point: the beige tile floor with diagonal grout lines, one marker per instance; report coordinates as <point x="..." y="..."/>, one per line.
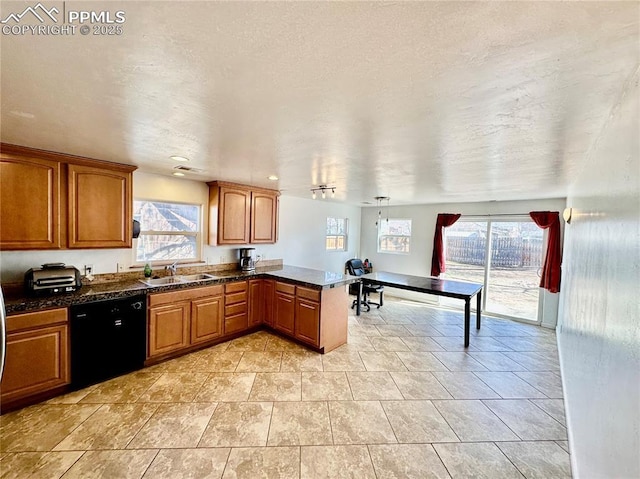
<point x="403" y="399"/>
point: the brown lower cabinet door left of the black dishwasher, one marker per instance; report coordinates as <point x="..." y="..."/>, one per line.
<point x="37" y="360"/>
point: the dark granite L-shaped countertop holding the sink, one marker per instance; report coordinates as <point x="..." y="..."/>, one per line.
<point x="310" y="278"/>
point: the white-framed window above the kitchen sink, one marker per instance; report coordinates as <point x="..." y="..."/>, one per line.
<point x="168" y="231"/>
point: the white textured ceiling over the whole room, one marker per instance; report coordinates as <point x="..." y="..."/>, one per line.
<point x="423" y="102"/>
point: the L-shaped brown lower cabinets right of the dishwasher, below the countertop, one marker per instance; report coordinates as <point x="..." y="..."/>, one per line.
<point x="181" y="320"/>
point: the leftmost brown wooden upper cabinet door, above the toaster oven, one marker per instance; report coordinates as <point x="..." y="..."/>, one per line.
<point x="30" y="215"/>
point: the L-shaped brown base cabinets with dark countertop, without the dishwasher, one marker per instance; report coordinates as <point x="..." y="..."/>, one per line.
<point x="306" y="305"/>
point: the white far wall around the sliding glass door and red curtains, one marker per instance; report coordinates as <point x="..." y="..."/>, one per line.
<point x="423" y="225"/>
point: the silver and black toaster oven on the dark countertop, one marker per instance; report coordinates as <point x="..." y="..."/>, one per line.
<point x="52" y="278"/>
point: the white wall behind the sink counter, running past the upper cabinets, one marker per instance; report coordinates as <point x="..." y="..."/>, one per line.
<point x="301" y="241"/>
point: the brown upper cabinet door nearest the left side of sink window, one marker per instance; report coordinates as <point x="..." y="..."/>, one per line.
<point x="100" y="207"/>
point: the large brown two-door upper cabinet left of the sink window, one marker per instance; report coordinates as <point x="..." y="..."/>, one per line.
<point x="52" y="201"/>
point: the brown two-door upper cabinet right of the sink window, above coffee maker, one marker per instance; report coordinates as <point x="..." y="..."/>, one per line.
<point x="240" y="214"/>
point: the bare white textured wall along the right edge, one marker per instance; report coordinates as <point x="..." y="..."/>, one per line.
<point x="599" y="324"/>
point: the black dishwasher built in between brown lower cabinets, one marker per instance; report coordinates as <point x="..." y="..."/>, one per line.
<point x="108" y="338"/>
